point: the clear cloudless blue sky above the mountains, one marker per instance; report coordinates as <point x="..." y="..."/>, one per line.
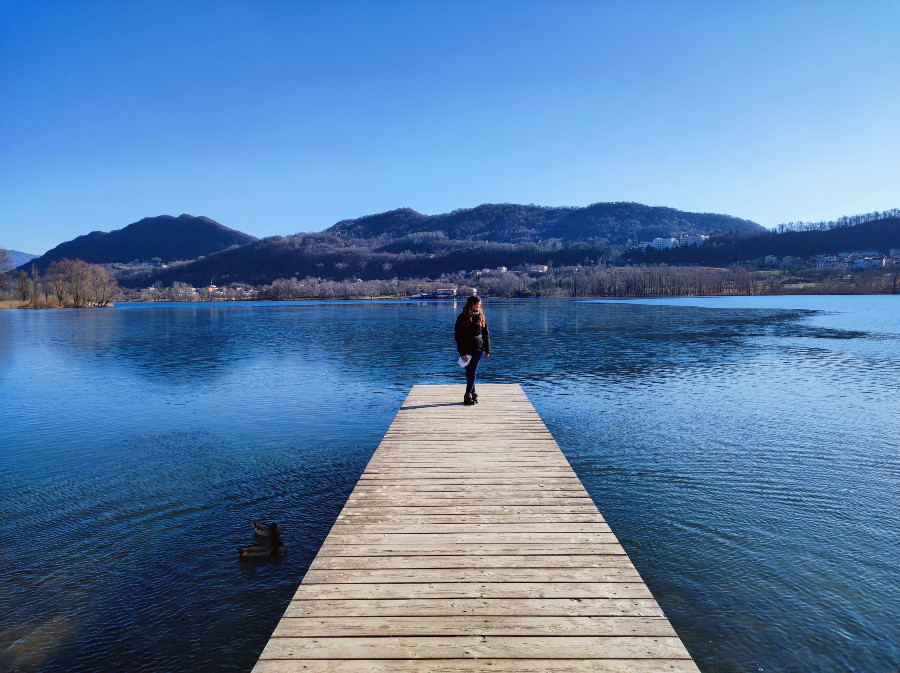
<point x="276" y="116"/>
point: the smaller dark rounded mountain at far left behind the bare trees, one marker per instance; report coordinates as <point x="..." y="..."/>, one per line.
<point x="164" y="237"/>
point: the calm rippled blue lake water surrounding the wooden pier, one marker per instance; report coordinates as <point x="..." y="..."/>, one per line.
<point x="745" y="451"/>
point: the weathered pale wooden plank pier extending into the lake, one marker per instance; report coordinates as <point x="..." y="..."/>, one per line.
<point x="469" y="544"/>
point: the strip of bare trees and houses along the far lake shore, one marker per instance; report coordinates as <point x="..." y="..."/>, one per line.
<point x="75" y="283"/>
